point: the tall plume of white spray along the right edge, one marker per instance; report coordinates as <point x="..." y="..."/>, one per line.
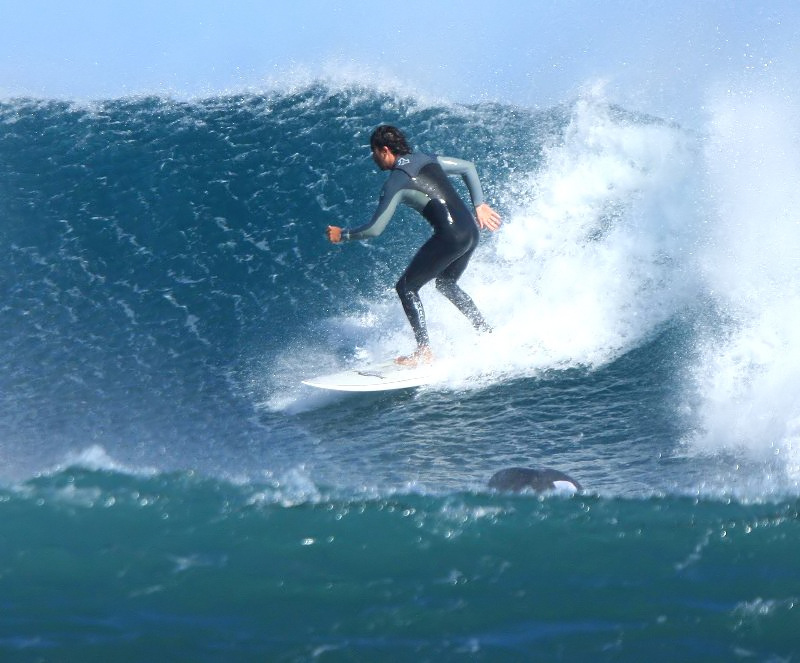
<point x="748" y="365"/>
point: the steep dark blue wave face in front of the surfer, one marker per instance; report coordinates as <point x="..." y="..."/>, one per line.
<point x="157" y="253"/>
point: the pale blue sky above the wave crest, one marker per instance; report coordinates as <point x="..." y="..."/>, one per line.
<point x="657" y="55"/>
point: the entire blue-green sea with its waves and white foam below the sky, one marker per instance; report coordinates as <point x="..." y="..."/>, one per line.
<point x="170" y="491"/>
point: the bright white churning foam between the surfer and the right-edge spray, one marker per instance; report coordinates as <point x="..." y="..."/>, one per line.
<point x="593" y="260"/>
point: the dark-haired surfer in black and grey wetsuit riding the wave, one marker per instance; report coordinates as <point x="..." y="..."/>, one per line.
<point x="420" y="181"/>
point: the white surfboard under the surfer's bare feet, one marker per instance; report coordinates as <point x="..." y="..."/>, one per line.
<point x="378" y="377"/>
